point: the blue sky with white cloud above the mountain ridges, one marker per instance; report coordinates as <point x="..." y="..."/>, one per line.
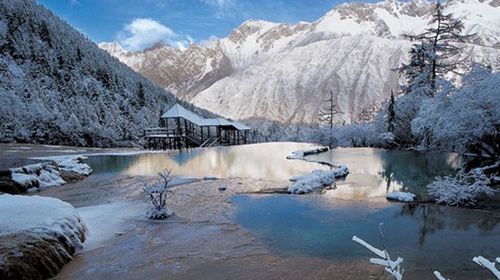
<point x="138" y="23"/>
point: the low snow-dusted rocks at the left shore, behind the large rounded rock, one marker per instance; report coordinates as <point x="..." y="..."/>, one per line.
<point x="48" y="174"/>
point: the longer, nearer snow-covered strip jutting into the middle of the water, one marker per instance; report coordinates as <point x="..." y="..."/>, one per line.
<point x="316" y="179"/>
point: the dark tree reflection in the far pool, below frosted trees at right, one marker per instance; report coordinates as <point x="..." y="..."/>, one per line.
<point x="413" y="170"/>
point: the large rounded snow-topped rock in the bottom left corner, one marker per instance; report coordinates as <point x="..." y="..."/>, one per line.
<point x="38" y="235"/>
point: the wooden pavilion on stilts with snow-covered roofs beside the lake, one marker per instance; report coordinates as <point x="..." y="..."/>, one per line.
<point x="185" y="129"/>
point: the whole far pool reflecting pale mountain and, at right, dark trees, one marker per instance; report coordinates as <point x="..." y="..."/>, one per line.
<point x="373" y="172"/>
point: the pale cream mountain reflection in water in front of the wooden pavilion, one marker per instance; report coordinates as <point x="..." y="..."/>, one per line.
<point x="259" y="161"/>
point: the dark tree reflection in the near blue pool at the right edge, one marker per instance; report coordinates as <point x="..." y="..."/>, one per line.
<point x="433" y="218"/>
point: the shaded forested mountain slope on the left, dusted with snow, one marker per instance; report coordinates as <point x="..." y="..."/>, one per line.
<point x="58" y="87"/>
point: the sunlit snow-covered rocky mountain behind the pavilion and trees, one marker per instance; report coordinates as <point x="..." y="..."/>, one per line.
<point x="283" y="71"/>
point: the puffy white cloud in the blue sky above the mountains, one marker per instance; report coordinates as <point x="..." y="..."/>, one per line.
<point x="144" y="32"/>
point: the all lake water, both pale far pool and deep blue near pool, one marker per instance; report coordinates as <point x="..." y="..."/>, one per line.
<point x="322" y="224"/>
